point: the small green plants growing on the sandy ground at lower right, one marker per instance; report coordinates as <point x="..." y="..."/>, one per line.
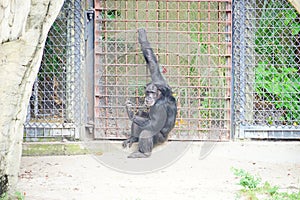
<point x="254" y="189"/>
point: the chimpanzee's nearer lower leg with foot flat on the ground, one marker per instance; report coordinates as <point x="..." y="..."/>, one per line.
<point x="145" y="145"/>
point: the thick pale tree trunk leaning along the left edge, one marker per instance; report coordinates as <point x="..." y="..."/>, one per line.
<point x="24" y="25"/>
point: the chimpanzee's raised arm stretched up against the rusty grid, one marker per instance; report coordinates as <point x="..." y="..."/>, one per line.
<point x="150" y="58"/>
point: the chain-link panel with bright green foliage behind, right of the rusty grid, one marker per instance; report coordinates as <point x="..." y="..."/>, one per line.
<point x="267" y="60"/>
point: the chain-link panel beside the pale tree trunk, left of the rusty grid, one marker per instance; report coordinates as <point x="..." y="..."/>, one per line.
<point x="54" y="102"/>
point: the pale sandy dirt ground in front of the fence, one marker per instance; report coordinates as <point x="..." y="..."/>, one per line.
<point x="201" y="171"/>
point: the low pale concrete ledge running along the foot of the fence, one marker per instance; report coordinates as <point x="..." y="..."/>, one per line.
<point x="269" y="151"/>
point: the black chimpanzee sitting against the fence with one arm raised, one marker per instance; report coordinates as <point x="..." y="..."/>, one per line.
<point x="152" y="127"/>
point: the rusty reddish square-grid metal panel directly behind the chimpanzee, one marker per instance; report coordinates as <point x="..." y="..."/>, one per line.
<point x="192" y="40"/>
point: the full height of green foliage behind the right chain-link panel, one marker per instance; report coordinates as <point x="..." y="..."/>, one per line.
<point x="276" y="74"/>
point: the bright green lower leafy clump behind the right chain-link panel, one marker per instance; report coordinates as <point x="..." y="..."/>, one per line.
<point x="280" y="86"/>
